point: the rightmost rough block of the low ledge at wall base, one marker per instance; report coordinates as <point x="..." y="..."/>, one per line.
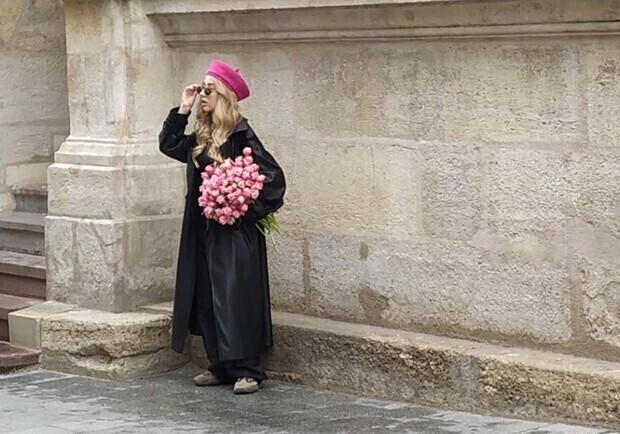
<point x="529" y="384"/>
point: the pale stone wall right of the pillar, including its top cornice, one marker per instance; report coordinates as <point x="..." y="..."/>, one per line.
<point x="463" y="184"/>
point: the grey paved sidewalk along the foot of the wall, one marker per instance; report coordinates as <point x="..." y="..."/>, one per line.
<point x="45" y="402"/>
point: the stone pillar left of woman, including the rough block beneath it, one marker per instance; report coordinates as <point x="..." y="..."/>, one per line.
<point x="114" y="201"/>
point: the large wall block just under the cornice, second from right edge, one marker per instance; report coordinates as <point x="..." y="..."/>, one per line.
<point x="509" y="92"/>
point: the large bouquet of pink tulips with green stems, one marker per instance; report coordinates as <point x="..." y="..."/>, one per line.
<point x="228" y="190"/>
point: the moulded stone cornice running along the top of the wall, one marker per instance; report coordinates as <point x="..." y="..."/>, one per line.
<point x="190" y="22"/>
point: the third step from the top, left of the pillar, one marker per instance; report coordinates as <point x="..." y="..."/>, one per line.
<point x="22" y="275"/>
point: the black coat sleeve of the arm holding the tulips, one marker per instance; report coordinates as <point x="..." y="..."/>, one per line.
<point x="272" y="196"/>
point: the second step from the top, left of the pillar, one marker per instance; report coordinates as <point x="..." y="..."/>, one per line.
<point x="23" y="232"/>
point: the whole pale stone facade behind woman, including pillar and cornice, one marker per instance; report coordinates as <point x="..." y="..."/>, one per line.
<point x="453" y="166"/>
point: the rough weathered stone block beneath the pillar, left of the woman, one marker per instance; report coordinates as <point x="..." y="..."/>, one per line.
<point x="108" y="345"/>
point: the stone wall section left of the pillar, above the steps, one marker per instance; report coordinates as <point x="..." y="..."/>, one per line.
<point x="34" y="117"/>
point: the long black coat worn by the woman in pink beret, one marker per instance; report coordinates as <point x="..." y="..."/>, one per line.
<point x="236" y="255"/>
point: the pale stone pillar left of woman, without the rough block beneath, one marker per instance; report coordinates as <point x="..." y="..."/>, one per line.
<point x="114" y="201"/>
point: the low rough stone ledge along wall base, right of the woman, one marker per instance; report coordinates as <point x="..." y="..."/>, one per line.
<point x="444" y="372"/>
